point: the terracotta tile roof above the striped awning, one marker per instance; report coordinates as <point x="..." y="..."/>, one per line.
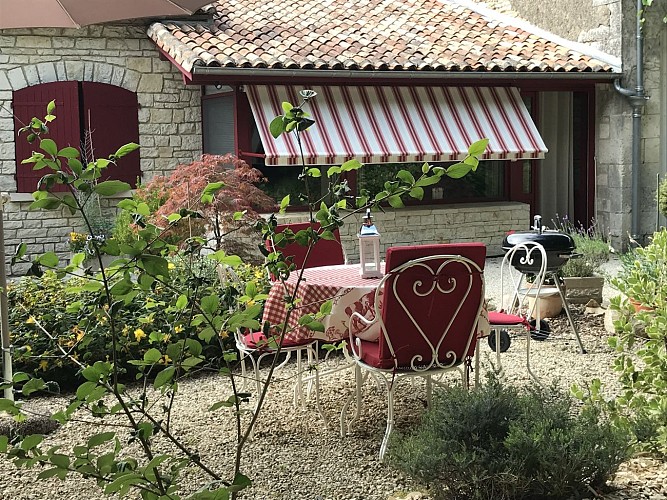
<point x="411" y="35"/>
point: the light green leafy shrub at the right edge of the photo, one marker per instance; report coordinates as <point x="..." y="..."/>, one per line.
<point x="641" y="347"/>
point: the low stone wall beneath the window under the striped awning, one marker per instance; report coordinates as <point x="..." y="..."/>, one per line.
<point x="484" y="222"/>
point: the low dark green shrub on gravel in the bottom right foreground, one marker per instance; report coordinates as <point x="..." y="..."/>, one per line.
<point x="500" y="442"/>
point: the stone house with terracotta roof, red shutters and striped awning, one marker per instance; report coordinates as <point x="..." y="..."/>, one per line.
<point x="208" y="83"/>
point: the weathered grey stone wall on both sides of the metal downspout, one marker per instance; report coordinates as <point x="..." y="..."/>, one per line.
<point x="614" y="132"/>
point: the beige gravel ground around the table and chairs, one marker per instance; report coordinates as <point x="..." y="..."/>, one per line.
<point x="294" y="456"/>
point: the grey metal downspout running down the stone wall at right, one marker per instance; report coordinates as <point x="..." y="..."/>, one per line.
<point x="637" y="99"/>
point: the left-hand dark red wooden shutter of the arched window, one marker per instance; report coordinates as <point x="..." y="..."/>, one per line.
<point x="65" y="130"/>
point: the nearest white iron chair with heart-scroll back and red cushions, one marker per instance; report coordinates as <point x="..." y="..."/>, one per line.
<point x="431" y="301"/>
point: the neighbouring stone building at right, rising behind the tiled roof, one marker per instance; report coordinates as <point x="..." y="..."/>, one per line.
<point x="611" y="26"/>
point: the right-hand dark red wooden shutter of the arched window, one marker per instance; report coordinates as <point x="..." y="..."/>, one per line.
<point x="111" y="114"/>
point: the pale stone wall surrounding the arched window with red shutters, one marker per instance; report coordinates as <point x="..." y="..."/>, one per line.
<point x="121" y="55"/>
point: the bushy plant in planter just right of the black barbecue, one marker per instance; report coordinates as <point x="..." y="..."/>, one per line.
<point x="582" y="275"/>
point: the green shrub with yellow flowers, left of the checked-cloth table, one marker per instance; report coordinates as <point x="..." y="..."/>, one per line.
<point x="78" y="323"/>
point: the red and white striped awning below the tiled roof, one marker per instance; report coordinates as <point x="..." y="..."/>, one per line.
<point x="397" y="124"/>
